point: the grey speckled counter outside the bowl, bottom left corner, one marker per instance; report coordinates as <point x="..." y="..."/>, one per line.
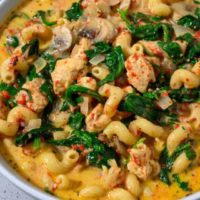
<point x="8" y="191"/>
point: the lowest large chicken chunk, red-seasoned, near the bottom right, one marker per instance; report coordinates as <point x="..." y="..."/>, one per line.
<point x="141" y="162"/>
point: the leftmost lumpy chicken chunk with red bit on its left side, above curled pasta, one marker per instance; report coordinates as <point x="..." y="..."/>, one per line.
<point x="36" y="100"/>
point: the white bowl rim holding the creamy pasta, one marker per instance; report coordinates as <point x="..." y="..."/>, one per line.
<point x="6" y="6"/>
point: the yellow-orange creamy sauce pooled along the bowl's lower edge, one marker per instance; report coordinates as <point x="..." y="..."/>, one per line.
<point x="32" y="169"/>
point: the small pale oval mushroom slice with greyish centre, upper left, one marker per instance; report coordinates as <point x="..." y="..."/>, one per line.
<point x="62" y="38"/>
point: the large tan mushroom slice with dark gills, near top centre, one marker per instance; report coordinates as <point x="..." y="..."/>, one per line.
<point x="98" y="29"/>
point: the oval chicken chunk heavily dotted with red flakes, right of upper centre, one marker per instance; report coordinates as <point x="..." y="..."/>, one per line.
<point x="140" y="72"/>
